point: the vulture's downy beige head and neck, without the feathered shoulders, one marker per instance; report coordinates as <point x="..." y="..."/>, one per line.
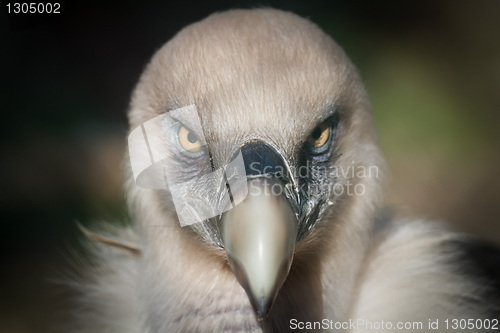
<point x="257" y="137"/>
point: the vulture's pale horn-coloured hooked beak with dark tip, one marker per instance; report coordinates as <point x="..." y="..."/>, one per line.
<point x="259" y="234"/>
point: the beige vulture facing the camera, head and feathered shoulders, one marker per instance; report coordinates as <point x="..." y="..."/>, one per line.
<point x="254" y="185"/>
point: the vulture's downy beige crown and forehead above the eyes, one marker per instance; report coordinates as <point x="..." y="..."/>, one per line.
<point x="264" y="74"/>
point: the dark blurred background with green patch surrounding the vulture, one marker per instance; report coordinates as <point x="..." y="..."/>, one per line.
<point x="432" y="70"/>
